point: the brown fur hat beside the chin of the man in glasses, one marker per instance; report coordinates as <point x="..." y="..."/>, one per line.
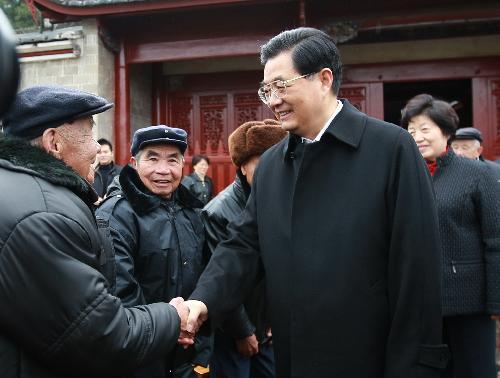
<point x="253" y="138"/>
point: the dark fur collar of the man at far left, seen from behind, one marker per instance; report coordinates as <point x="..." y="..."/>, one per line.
<point x="36" y="162"/>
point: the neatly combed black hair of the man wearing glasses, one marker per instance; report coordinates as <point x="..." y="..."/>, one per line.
<point x="312" y="50"/>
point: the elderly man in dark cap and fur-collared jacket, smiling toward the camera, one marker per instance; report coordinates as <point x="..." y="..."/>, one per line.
<point x="158" y="236"/>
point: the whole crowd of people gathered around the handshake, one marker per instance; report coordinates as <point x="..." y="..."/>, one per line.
<point x="345" y="246"/>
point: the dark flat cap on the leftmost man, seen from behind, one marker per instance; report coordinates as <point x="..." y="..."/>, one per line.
<point x="38" y="108"/>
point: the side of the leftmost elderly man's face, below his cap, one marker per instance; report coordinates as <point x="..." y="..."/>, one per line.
<point x="78" y="148"/>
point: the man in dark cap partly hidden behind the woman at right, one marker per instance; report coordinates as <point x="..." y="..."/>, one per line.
<point x="467" y="142"/>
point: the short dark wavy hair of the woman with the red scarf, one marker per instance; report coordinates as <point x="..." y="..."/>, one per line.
<point x="440" y="112"/>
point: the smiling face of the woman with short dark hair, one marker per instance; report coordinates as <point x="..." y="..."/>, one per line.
<point x="430" y="139"/>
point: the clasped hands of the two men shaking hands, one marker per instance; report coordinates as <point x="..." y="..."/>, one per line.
<point x="192" y="314"/>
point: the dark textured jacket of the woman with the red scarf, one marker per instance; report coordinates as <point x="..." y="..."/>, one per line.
<point x="469" y="223"/>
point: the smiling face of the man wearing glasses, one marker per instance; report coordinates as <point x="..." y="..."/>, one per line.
<point x="301" y="110"/>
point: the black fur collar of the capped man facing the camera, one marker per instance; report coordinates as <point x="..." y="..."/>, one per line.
<point x="143" y="201"/>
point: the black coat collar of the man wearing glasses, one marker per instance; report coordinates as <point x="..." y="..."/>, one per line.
<point x="348" y="127"/>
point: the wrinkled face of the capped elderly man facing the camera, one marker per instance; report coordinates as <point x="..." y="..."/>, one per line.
<point x="160" y="168"/>
